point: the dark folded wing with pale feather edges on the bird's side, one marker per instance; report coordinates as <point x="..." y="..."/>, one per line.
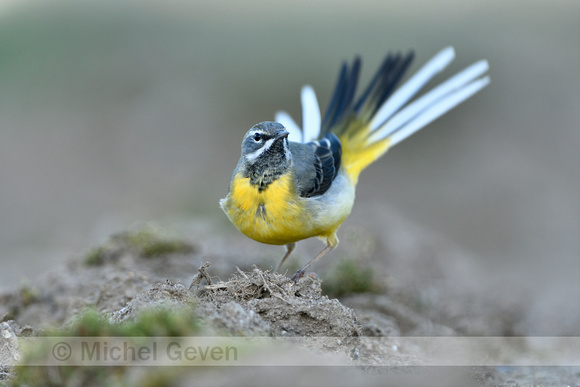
<point x="327" y="154"/>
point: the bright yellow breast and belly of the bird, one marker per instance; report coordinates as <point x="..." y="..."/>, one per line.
<point x="277" y="215"/>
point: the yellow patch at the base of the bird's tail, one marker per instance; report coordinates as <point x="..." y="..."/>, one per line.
<point x="357" y="153"/>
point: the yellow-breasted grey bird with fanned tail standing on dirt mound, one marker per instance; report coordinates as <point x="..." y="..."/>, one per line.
<point x="295" y="183"/>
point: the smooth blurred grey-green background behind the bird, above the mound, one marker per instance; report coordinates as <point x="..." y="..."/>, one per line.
<point x="116" y="112"/>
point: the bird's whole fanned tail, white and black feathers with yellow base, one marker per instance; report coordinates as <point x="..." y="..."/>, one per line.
<point x="383" y="117"/>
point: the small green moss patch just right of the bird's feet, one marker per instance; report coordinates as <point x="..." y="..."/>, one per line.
<point x="349" y="277"/>
